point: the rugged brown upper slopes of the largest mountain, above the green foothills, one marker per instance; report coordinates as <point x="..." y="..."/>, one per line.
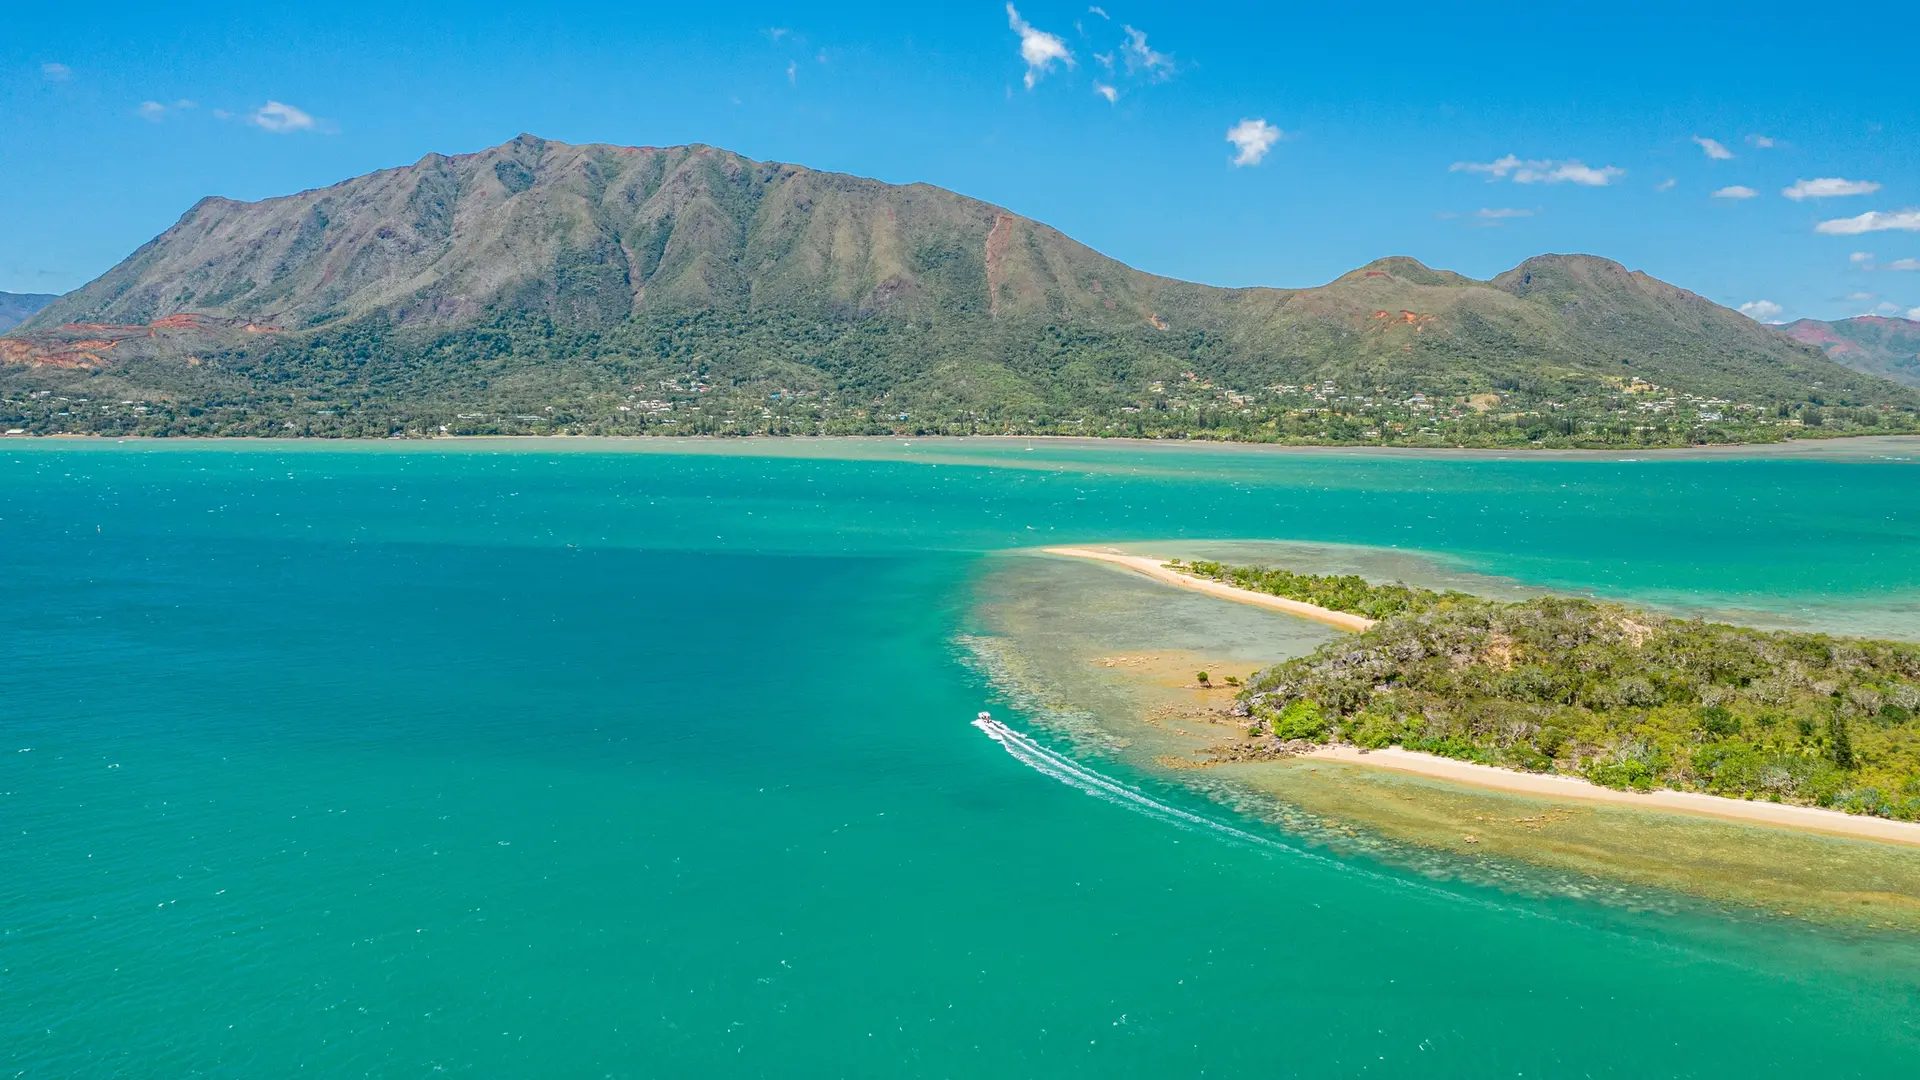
<point x="594" y="235"/>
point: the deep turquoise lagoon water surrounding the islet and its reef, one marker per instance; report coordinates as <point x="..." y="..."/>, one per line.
<point x="658" y="762"/>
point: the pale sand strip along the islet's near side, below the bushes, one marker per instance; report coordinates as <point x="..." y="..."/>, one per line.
<point x="1813" y="820"/>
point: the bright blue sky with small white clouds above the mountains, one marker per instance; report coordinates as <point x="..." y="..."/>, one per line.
<point x="1470" y="137"/>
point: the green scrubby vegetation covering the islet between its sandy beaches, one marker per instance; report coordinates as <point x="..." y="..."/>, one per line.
<point x="1625" y="699"/>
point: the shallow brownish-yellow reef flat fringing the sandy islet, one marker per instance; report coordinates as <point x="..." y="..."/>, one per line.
<point x="1109" y="660"/>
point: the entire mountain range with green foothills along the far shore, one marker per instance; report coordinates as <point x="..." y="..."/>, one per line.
<point x="552" y="287"/>
